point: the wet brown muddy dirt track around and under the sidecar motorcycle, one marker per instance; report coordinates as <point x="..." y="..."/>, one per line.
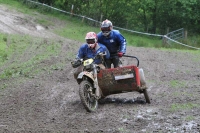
<point x="50" y="102"/>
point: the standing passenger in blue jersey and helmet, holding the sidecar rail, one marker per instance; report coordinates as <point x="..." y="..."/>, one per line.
<point x="114" y="41"/>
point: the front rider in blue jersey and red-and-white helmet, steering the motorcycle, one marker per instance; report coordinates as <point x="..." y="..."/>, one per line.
<point x="89" y="50"/>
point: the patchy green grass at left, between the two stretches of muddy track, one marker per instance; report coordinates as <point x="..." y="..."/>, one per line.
<point x="32" y="50"/>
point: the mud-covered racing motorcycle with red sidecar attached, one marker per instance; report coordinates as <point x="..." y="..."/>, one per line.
<point x="96" y="83"/>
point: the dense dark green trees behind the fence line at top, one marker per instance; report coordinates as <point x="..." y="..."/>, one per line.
<point x="154" y="16"/>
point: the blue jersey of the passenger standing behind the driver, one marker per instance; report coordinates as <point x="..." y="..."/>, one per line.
<point x="115" y="42"/>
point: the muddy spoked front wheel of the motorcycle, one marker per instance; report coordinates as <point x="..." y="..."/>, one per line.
<point x="89" y="102"/>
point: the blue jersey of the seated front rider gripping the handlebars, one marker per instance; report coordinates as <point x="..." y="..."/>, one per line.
<point x="85" y="52"/>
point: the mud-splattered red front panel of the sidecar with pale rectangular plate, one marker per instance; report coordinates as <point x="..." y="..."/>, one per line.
<point x="118" y="80"/>
